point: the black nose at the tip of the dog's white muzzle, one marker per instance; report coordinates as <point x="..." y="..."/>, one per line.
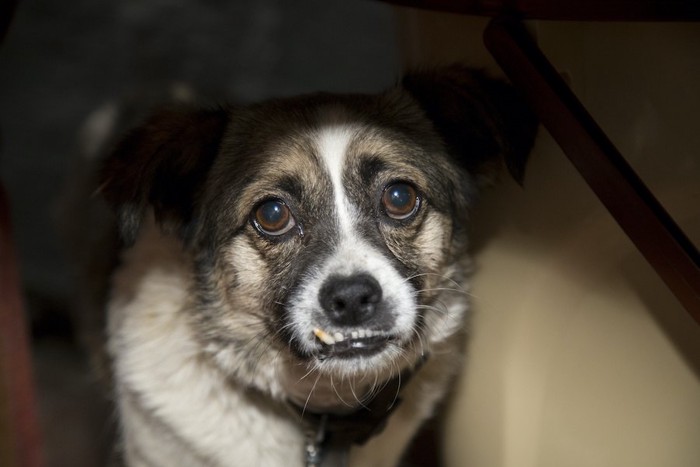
<point x="350" y="300"/>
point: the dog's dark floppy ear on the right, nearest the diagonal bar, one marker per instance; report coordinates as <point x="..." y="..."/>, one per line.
<point x="484" y="122"/>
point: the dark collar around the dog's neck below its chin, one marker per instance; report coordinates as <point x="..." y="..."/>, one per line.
<point x="329" y="436"/>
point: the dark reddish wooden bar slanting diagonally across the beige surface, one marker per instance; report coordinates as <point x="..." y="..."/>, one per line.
<point x="634" y="207"/>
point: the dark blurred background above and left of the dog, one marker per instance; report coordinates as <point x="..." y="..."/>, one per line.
<point x="62" y="61"/>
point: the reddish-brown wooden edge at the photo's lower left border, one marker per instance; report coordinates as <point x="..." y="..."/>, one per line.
<point x="20" y="413"/>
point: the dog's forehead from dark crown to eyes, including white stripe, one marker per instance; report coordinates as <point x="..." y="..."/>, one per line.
<point x="328" y="161"/>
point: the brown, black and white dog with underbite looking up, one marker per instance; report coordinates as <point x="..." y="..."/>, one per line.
<point x="293" y="284"/>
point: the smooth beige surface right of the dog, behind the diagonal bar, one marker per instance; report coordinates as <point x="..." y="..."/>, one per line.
<point x="579" y="356"/>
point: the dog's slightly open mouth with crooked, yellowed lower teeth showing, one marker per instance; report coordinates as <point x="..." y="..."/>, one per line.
<point x="351" y="344"/>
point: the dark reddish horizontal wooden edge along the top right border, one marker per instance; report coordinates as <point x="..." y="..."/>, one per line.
<point x="567" y="10"/>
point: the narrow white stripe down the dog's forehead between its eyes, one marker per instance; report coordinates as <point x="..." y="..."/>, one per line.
<point x="333" y="143"/>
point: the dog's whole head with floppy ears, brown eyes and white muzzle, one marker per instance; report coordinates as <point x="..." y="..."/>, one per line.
<point x="326" y="231"/>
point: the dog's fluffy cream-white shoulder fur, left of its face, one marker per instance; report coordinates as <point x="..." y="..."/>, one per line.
<point x="168" y="392"/>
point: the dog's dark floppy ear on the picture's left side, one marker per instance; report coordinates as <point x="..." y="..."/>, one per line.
<point x="162" y="165"/>
